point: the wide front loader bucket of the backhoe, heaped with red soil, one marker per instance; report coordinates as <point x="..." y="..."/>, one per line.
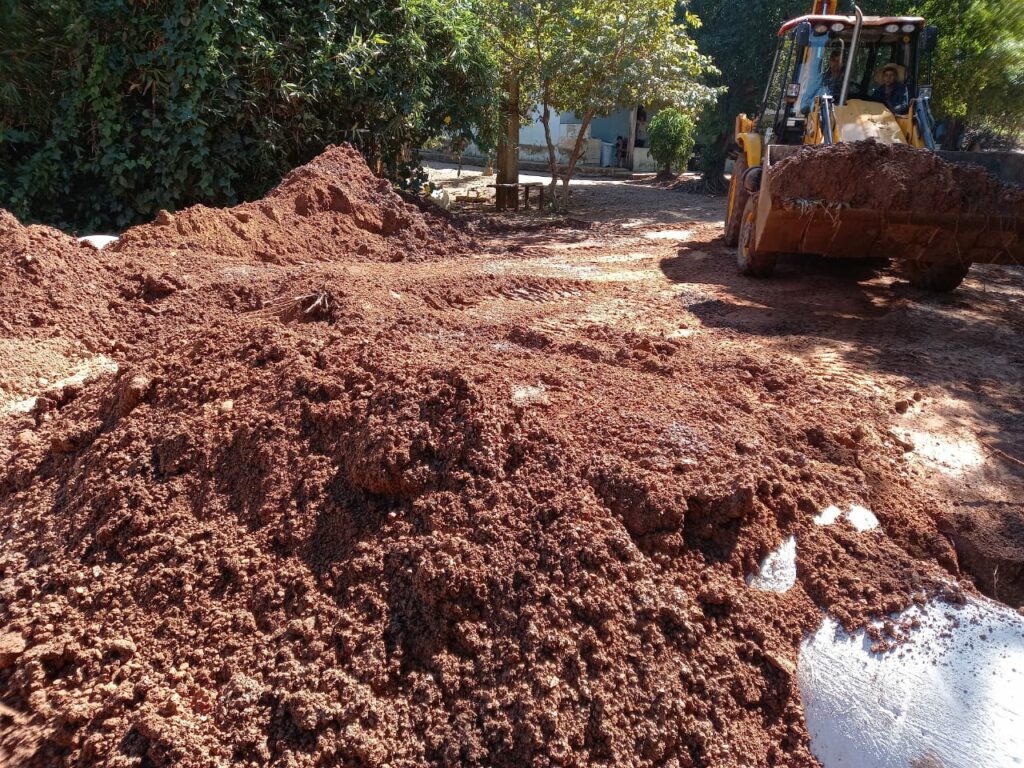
<point x="868" y="200"/>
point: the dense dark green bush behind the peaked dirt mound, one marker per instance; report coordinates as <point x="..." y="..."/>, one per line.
<point x="111" y="110"/>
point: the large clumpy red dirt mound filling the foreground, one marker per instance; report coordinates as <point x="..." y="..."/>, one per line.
<point x="281" y="546"/>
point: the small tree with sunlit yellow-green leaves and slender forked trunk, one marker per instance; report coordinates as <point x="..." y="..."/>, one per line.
<point x="622" y="54"/>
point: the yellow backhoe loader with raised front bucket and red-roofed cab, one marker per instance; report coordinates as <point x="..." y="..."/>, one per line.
<point x="852" y="79"/>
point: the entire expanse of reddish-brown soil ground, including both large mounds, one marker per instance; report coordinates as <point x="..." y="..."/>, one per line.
<point x="325" y="481"/>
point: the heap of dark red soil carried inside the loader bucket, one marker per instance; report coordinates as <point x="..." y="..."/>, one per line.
<point x="894" y="178"/>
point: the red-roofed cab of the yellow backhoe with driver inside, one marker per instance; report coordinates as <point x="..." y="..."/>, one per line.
<point x="828" y="74"/>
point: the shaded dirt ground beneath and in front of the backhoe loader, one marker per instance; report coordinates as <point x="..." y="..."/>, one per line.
<point x="953" y="364"/>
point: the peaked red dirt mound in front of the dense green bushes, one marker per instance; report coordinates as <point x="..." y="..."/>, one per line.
<point x="331" y="210"/>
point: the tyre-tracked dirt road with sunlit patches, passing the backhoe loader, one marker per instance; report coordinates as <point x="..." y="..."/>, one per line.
<point x="950" y="369"/>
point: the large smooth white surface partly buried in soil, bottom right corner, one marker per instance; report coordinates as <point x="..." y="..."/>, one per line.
<point x="953" y="697"/>
